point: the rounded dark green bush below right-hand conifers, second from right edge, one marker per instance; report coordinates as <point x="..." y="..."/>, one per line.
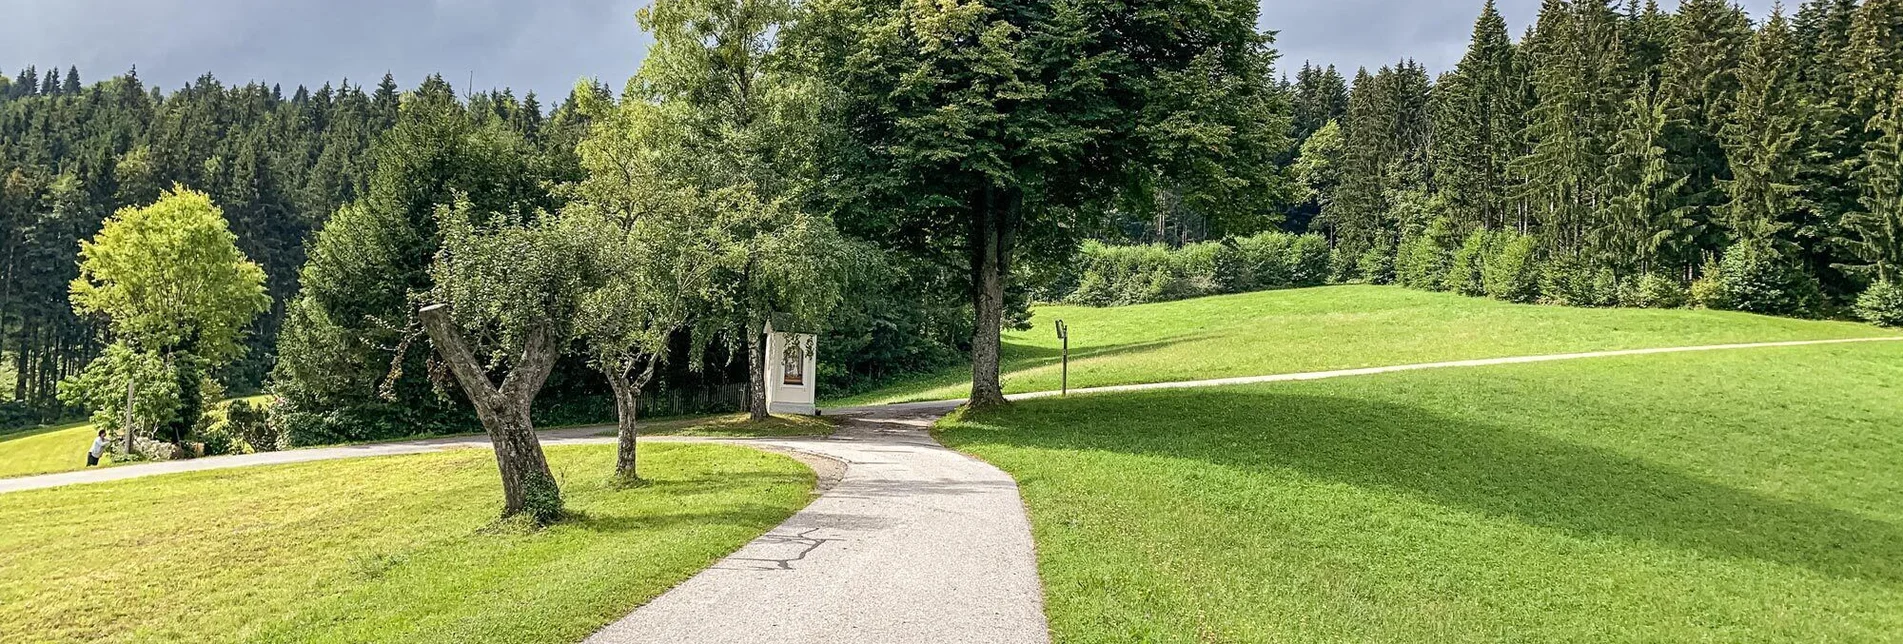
<point x="1756" y="279"/>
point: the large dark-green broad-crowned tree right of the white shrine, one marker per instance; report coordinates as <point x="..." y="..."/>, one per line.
<point x="994" y="129"/>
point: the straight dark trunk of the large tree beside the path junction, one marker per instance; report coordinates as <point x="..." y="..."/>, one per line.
<point x="992" y="237"/>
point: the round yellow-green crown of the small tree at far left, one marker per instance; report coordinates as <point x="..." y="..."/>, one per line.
<point x="170" y="277"/>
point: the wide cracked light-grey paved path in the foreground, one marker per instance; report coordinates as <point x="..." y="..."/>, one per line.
<point x="914" y="544"/>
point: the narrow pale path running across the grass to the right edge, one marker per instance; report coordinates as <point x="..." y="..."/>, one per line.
<point x="1316" y="376"/>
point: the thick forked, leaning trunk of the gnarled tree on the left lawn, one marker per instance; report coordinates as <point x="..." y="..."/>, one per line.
<point x="528" y="485"/>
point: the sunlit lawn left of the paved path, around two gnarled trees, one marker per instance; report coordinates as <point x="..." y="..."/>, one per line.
<point x="383" y="550"/>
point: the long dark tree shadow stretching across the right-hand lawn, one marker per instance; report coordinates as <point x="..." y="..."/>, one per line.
<point x="1461" y="464"/>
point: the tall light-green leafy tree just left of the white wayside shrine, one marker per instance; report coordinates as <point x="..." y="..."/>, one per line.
<point x="737" y="127"/>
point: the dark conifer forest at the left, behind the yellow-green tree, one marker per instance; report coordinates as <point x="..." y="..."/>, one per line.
<point x="279" y="167"/>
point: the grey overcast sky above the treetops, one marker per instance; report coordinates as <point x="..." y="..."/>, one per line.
<point x="547" y="45"/>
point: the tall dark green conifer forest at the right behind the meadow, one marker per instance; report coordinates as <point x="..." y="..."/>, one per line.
<point x="1746" y="163"/>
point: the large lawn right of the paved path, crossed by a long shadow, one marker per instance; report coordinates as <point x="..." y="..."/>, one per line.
<point x="1736" y="496"/>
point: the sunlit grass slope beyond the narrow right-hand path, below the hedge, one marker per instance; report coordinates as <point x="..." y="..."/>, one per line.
<point x="1331" y="329"/>
